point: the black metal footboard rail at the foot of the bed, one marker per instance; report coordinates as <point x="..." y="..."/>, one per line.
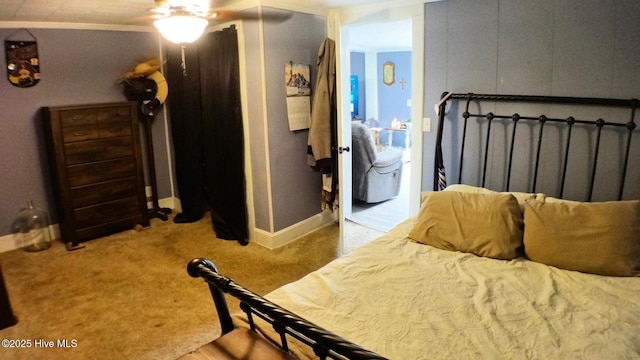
<point x="324" y="343"/>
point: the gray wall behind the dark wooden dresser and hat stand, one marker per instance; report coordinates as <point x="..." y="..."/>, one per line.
<point x="78" y="67"/>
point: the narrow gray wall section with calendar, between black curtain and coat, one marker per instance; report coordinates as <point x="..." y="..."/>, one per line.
<point x="295" y="187"/>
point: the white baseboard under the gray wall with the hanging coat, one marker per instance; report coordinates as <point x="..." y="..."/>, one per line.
<point x="293" y="232"/>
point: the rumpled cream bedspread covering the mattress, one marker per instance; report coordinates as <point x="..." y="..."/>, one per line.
<point x="406" y="300"/>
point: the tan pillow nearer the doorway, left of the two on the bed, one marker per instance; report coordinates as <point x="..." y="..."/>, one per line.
<point x="483" y="224"/>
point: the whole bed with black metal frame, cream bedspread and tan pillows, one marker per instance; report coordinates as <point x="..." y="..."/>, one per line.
<point x="528" y="247"/>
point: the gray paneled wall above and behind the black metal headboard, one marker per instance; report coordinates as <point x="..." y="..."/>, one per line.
<point x="544" y="47"/>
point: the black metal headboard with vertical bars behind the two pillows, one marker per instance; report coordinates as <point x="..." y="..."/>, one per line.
<point x="512" y="120"/>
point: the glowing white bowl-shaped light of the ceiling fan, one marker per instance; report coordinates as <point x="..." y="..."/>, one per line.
<point x="181" y="29"/>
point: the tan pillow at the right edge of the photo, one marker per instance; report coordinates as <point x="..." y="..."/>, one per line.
<point x="599" y="238"/>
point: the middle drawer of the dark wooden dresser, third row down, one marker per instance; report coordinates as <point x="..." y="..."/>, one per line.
<point x="101" y="171"/>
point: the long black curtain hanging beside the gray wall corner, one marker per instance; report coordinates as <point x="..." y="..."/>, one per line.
<point x="214" y="136"/>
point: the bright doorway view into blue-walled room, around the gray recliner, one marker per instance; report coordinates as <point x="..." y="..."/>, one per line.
<point x="380" y="72"/>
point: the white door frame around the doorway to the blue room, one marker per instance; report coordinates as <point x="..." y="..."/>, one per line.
<point x="339" y="28"/>
